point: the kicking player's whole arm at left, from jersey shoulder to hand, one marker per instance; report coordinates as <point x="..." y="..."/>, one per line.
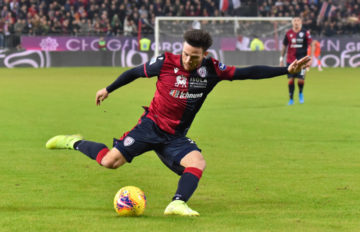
<point x="149" y="69"/>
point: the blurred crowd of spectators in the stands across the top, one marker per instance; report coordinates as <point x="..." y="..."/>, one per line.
<point x="126" y="17"/>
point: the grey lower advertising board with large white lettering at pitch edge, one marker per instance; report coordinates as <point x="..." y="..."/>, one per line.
<point x="43" y="59"/>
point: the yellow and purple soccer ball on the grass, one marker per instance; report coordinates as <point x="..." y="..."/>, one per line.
<point x="130" y="201"/>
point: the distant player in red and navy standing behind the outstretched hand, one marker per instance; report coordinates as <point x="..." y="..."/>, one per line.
<point x="296" y="42"/>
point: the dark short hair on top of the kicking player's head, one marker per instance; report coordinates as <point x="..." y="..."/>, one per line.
<point x="198" y="38"/>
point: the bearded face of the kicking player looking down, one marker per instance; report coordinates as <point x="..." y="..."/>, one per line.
<point x="192" y="57"/>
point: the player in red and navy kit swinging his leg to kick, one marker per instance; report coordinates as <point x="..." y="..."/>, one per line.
<point x="183" y="83"/>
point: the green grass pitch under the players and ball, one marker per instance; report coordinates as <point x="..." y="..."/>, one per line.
<point x="270" y="167"/>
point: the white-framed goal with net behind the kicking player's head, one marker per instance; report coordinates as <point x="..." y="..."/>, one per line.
<point x="229" y="34"/>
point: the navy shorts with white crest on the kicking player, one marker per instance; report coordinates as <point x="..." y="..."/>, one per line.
<point x="146" y="136"/>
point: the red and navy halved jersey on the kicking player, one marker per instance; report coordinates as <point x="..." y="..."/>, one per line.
<point x="179" y="93"/>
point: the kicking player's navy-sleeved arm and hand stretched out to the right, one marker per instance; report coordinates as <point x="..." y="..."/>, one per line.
<point x="262" y="72"/>
